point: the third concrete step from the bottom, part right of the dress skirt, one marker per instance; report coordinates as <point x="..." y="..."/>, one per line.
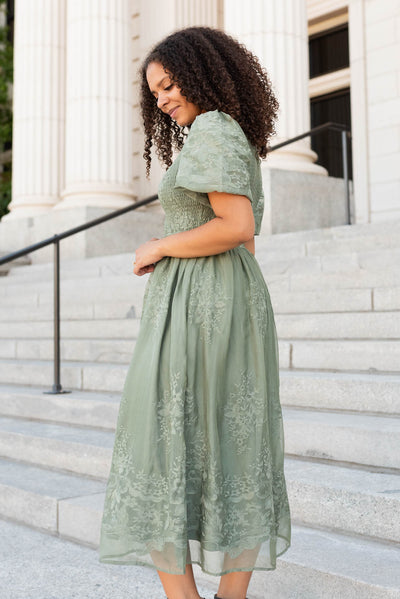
<point x="372" y="441"/>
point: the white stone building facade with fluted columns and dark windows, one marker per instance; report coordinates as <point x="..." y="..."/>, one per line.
<point x="77" y="143"/>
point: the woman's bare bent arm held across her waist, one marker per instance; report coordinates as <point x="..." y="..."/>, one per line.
<point x="233" y="225"/>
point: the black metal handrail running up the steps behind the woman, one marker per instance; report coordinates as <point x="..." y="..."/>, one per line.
<point x="55" y="239"/>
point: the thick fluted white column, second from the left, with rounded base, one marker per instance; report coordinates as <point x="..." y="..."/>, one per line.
<point x="98" y="164"/>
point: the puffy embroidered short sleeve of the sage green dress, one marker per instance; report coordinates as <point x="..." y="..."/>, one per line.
<point x="215" y="157"/>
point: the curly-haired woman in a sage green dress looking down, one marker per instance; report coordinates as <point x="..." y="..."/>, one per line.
<point x="197" y="469"/>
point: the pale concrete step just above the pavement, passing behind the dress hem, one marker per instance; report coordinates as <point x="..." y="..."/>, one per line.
<point x="336" y="498"/>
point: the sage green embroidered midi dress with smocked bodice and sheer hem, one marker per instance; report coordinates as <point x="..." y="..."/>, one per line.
<point x="197" y="468"/>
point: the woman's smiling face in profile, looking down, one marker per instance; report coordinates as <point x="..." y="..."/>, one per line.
<point x="169" y="97"/>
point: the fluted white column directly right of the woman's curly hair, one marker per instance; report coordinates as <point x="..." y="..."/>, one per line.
<point x="276" y="31"/>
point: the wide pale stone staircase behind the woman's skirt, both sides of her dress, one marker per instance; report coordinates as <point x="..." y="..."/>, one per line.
<point x="336" y="295"/>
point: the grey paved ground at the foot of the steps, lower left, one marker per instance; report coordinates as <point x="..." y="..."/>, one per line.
<point x="38" y="566"/>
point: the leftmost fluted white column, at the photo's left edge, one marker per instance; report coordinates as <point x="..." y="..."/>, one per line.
<point x="38" y="107"/>
